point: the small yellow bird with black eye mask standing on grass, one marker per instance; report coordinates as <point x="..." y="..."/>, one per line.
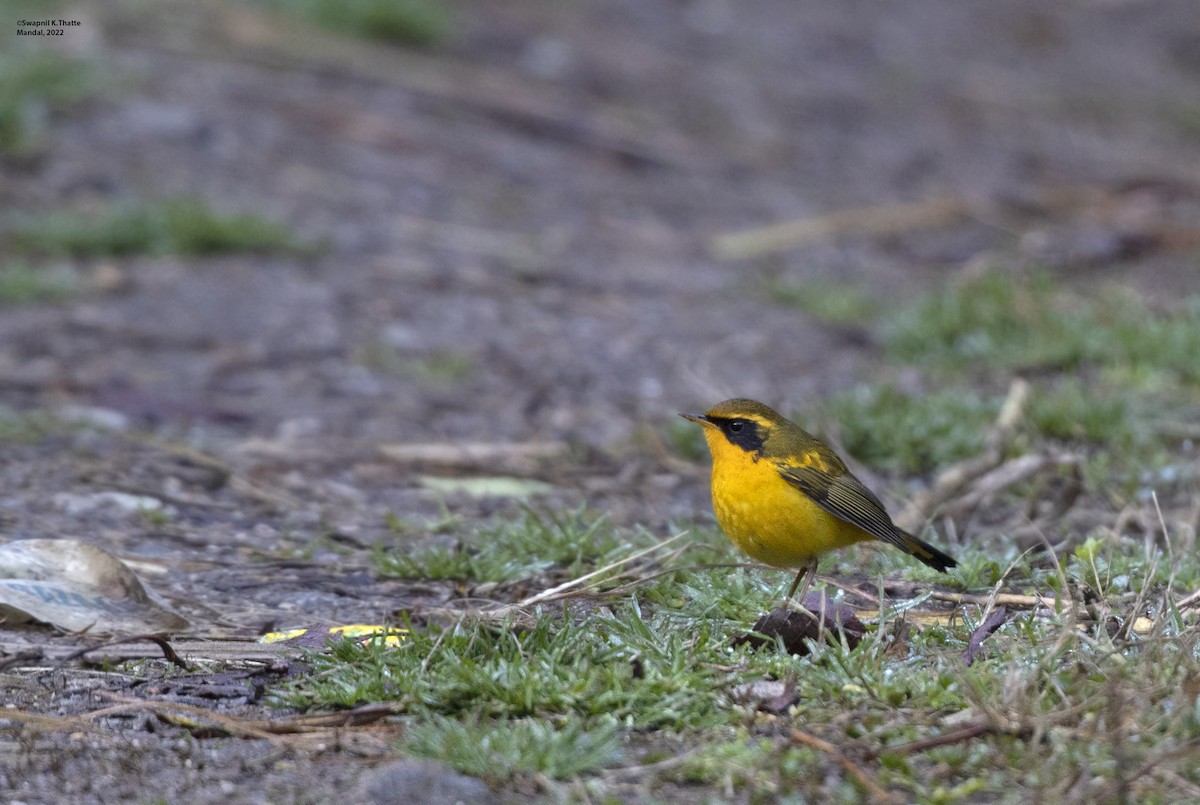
<point x="785" y="497"/>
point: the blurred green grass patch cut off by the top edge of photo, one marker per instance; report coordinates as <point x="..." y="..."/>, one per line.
<point x="399" y="22"/>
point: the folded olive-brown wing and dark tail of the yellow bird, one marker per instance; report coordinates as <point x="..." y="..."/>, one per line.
<point x="849" y="501"/>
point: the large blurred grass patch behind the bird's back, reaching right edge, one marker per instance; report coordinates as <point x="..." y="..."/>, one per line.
<point x="1113" y="377"/>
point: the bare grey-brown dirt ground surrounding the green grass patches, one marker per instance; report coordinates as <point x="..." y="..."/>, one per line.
<point x="519" y="229"/>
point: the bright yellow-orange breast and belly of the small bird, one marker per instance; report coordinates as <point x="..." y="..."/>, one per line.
<point x="769" y="518"/>
